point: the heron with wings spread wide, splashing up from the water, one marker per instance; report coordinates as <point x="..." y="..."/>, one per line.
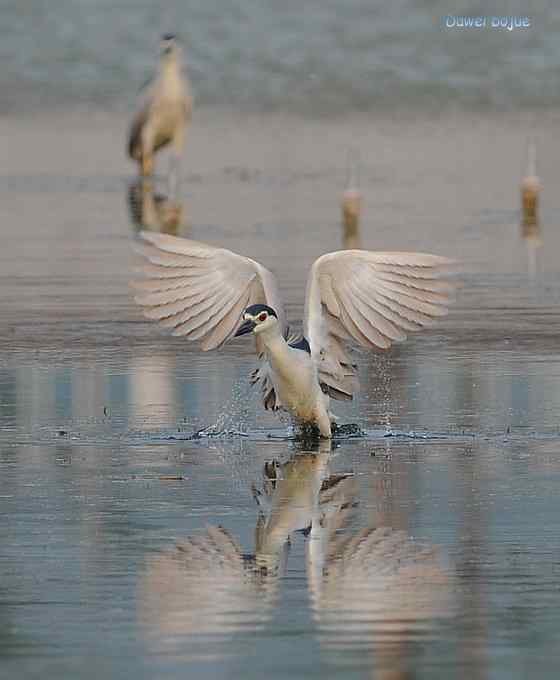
<point x="371" y="299"/>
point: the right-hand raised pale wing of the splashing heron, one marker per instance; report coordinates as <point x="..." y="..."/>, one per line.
<point x="371" y="299"/>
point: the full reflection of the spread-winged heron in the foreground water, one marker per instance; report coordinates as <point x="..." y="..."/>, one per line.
<point x="367" y="585"/>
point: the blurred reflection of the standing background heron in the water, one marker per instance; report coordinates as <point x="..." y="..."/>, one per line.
<point x="153" y="211"/>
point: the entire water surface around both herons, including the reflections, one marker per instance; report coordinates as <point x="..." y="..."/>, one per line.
<point x="103" y="491"/>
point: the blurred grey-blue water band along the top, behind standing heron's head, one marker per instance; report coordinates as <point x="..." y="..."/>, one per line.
<point x="319" y="58"/>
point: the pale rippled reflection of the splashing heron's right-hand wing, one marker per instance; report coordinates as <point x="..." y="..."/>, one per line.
<point x="377" y="582"/>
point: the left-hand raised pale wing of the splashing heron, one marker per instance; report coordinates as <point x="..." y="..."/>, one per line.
<point x="201" y="291"/>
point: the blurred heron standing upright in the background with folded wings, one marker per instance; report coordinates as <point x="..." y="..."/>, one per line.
<point x="165" y="112"/>
